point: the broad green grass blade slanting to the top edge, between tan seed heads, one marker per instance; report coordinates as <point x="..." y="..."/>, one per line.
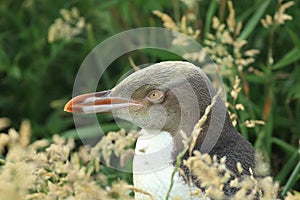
<point x="254" y="20"/>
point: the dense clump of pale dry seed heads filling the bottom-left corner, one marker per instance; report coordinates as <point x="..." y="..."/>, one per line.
<point x="54" y="172"/>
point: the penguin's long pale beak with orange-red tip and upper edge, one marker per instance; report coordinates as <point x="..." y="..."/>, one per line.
<point x="98" y="102"/>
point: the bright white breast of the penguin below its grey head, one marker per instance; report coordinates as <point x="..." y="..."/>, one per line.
<point x="152" y="167"/>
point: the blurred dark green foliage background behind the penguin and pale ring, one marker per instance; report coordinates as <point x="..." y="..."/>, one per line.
<point x="37" y="68"/>
